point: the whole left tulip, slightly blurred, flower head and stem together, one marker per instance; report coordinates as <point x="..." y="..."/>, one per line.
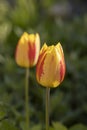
<point x="27" y="53"/>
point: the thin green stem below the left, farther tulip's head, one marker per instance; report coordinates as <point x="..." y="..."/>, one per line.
<point x="27" y="98"/>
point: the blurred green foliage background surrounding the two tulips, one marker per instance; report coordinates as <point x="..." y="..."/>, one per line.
<point x="54" y="20"/>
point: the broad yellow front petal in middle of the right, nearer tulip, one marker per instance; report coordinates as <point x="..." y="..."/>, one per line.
<point x="50" y="77"/>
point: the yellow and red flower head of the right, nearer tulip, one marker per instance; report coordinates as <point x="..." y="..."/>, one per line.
<point x="50" y="69"/>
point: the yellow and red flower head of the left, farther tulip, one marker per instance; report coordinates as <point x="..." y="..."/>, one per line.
<point x="27" y="50"/>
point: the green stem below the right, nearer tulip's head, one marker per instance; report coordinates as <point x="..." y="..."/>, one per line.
<point x="47" y="107"/>
